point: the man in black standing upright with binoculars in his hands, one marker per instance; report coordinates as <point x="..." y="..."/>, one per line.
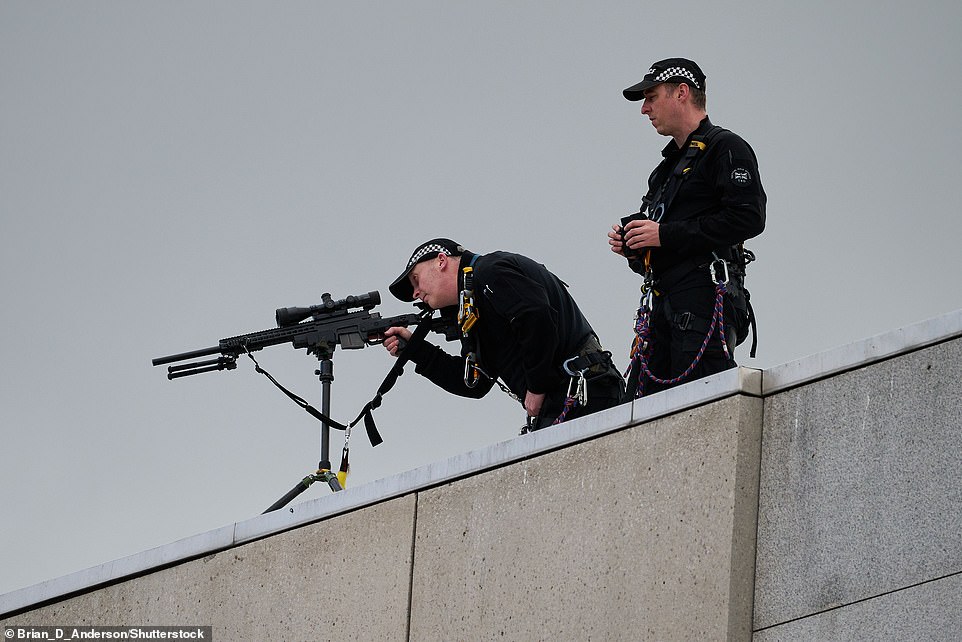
<point x="704" y="199"/>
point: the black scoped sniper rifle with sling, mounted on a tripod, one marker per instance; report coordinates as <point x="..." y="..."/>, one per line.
<point x="350" y="323"/>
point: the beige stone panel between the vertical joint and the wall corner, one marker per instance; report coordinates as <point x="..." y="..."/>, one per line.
<point x="644" y="534"/>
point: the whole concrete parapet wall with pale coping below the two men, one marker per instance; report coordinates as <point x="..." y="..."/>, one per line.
<point x="819" y="500"/>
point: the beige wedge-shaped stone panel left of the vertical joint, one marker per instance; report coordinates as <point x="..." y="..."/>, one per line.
<point x="310" y="583"/>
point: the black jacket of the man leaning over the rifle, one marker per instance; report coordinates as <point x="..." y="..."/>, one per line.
<point x="528" y="325"/>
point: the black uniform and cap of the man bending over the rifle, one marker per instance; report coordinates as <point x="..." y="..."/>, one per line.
<point x="528" y="326"/>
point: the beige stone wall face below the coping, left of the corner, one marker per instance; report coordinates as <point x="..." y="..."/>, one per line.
<point x="645" y="533"/>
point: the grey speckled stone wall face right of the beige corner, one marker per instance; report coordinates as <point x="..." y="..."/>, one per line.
<point x="861" y="491"/>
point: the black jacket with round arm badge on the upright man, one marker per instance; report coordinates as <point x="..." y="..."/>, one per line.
<point x="720" y="202"/>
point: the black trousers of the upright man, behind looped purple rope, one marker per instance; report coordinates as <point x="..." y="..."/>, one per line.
<point x="678" y="324"/>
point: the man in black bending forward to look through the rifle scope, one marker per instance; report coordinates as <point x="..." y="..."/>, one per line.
<point x="517" y="322"/>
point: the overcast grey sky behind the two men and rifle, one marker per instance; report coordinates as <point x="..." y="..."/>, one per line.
<point x="171" y="173"/>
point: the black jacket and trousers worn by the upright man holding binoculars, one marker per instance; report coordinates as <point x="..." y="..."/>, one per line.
<point x="719" y="203"/>
